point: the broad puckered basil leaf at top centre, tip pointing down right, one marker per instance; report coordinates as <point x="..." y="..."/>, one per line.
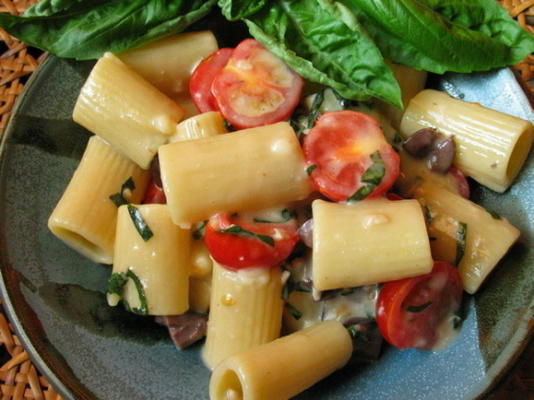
<point x="323" y="41"/>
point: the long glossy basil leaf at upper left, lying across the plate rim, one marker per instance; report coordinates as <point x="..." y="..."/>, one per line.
<point x="85" y="29"/>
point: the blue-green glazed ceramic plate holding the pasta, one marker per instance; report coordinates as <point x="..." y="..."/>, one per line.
<point x="55" y="297"/>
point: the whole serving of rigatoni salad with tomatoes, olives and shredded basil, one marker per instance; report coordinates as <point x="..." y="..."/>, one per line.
<point x="292" y="227"/>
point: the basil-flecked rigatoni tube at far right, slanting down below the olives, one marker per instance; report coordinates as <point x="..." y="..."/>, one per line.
<point x="461" y="226"/>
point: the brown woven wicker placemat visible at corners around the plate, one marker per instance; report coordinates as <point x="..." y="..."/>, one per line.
<point x="19" y="379"/>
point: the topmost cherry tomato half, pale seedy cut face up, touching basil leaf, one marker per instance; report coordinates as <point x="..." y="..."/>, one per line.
<point x="256" y="88"/>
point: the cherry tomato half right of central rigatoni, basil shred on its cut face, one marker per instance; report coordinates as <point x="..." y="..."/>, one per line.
<point x="350" y="156"/>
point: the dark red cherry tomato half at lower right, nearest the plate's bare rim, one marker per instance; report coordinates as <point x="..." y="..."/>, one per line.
<point x="409" y="310"/>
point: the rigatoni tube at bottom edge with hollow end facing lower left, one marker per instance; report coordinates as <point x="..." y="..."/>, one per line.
<point x="285" y="367"/>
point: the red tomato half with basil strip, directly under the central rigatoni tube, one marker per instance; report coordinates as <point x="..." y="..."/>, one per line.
<point x="237" y="243"/>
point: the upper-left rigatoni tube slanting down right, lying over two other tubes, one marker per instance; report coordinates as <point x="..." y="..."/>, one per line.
<point x="124" y="109"/>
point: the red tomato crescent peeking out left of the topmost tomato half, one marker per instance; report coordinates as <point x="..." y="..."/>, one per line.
<point x="202" y="79"/>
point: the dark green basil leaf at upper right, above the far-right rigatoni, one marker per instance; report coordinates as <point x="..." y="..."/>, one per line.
<point x="411" y="33"/>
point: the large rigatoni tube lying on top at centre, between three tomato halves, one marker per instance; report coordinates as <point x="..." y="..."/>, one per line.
<point x="246" y="170"/>
